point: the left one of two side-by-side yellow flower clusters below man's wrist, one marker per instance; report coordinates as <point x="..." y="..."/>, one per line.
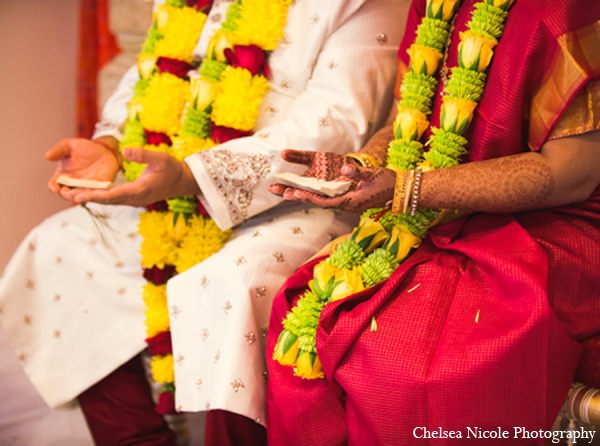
<point x="158" y="245"/>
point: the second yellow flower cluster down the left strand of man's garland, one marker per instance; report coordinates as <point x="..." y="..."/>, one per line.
<point x="163" y="102"/>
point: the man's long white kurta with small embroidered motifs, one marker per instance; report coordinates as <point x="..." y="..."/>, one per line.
<point x="71" y="304"/>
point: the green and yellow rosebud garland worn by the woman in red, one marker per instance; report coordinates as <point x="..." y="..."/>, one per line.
<point x="382" y="240"/>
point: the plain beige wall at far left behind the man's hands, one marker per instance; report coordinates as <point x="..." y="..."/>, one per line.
<point x="38" y="45"/>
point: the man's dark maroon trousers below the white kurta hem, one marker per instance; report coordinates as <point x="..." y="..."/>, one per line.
<point x="119" y="411"/>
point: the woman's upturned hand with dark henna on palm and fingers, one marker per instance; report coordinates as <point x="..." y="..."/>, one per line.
<point x="371" y="187"/>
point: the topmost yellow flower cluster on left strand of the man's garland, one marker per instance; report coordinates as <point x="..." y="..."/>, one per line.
<point x="181" y="28"/>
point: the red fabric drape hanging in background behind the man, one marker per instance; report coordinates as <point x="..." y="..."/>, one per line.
<point x="97" y="46"/>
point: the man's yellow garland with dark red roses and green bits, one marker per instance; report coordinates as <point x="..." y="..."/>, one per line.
<point x="181" y="109"/>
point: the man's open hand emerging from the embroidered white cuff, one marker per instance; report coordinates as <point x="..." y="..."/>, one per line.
<point x="164" y="177"/>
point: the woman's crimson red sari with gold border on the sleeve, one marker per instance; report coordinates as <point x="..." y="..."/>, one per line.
<point x="482" y="325"/>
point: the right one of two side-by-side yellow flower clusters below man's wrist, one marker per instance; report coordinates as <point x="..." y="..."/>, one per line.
<point x="203" y="239"/>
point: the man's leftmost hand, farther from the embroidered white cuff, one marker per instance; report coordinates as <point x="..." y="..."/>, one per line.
<point x="83" y="159"/>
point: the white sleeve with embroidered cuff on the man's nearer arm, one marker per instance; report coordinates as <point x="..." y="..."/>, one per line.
<point x="327" y="94"/>
